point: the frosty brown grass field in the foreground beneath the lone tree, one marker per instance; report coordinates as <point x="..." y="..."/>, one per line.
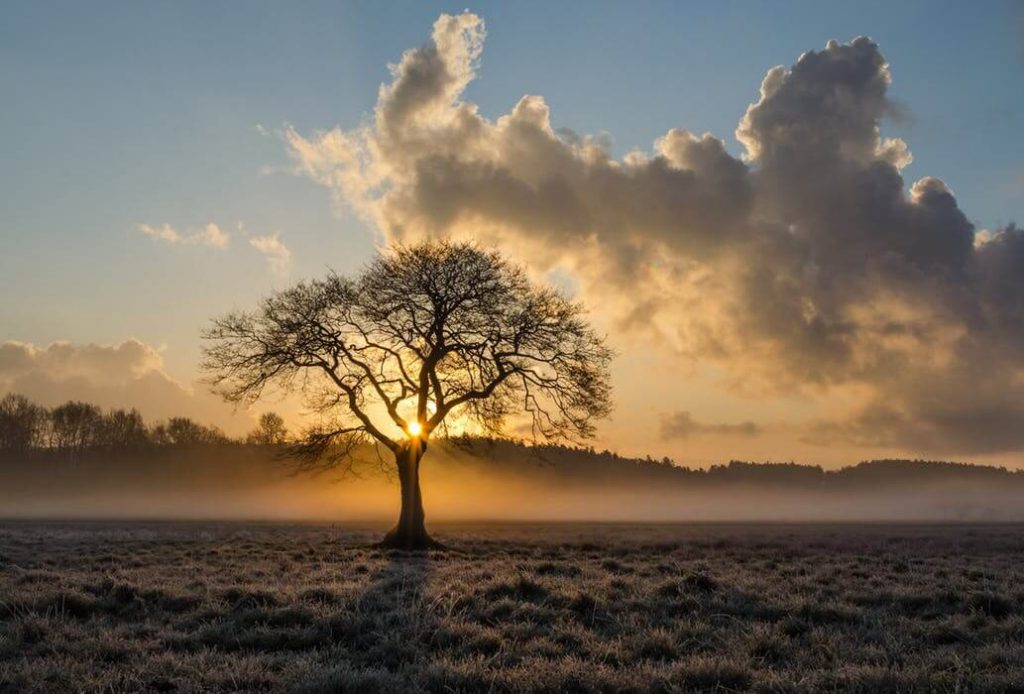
<point x="181" y="608"/>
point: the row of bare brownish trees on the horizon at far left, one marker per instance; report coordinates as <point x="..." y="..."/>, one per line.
<point x="78" y="427"/>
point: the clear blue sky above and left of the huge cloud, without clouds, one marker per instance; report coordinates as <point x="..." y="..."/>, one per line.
<point x="116" y="115"/>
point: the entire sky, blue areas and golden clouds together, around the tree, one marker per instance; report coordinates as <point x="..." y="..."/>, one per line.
<point x="784" y="291"/>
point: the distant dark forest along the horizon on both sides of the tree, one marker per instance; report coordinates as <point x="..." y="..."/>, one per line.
<point x="79" y="430"/>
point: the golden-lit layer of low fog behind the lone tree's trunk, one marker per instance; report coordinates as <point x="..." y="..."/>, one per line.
<point x="496" y="483"/>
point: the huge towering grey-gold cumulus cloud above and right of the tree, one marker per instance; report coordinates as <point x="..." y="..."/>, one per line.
<point x="808" y="265"/>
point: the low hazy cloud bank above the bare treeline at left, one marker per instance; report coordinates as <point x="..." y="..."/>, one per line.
<point x="127" y="375"/>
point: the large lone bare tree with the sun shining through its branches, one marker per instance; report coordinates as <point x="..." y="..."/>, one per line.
<point x="428" y="337"/>
